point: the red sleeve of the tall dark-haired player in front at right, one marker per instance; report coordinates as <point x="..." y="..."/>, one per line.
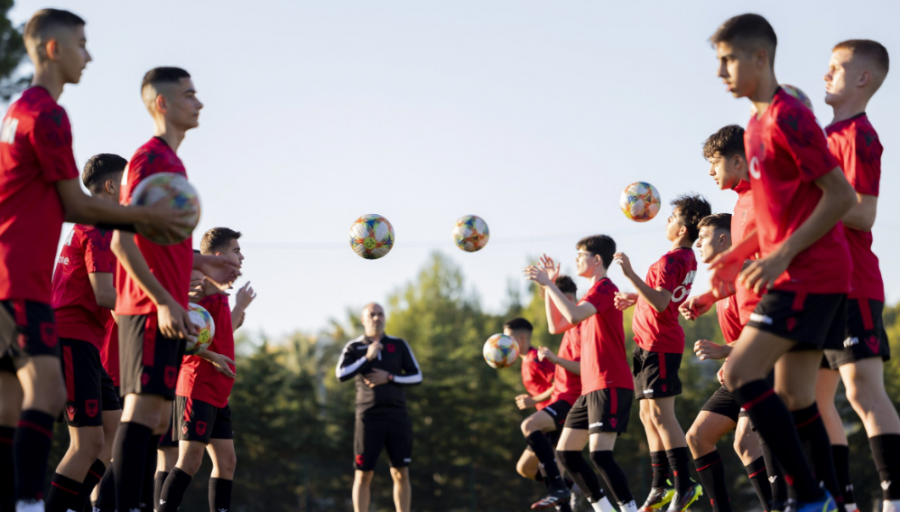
<point x="803" y="139"/>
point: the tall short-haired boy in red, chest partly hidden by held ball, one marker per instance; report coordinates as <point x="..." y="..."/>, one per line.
<point x="152" y="283"/>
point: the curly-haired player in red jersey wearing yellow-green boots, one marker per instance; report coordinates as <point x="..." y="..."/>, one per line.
<point x="660" y="346"/>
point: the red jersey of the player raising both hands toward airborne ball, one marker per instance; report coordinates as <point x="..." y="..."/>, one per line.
<point x="603" y="361"/>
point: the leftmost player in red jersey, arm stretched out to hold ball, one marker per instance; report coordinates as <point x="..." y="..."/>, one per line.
<point x="39" y="189"/>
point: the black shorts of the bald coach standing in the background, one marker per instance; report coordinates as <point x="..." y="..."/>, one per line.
<point x="374" y="433"/>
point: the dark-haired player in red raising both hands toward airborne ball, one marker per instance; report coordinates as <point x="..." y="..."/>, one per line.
<point x="602" y="411"/>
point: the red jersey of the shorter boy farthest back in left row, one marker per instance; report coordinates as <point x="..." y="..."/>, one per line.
<point x="199" y="379"/>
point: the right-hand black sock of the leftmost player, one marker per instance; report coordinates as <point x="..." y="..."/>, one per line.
<point x="31" y="447"/>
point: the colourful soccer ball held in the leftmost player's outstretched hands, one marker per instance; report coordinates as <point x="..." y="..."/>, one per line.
<point x="179" y="195"/>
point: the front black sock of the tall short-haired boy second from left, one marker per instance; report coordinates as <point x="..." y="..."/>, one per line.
<point x="129" y="453"/>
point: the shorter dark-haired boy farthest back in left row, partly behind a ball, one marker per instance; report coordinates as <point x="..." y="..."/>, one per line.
<point x="203" y="416"/>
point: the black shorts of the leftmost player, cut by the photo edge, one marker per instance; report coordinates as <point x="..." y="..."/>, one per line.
<point x="27" y="329"/>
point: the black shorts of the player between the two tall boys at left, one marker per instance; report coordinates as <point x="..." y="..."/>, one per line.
<point x="89" y="389"/>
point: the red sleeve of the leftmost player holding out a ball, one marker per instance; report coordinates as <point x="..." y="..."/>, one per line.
<point x="52" y="141"/>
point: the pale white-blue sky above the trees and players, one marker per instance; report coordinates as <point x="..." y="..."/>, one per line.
<point x="533" y="115"/>
